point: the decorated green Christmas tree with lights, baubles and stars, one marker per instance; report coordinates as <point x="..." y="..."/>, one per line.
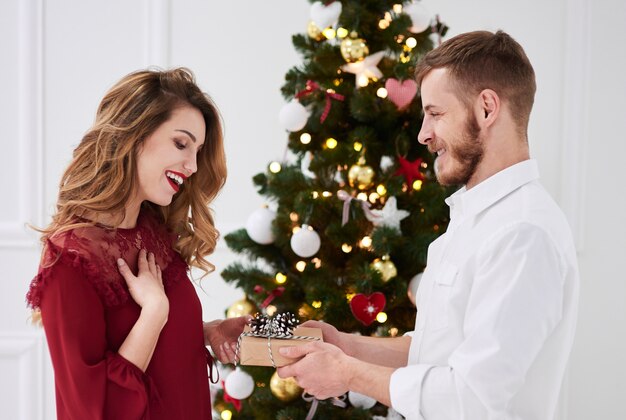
<point x="352" y="213"/>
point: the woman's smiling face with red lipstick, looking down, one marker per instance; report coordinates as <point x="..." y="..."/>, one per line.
<point x="168" y="156"/>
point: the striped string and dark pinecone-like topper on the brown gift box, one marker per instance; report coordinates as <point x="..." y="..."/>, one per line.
<point x="281" y="326"/>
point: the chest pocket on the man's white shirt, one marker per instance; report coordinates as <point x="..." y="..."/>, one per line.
<point x="440" y="298"/>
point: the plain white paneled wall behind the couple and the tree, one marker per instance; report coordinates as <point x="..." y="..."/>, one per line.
<point x="60" y="56"/>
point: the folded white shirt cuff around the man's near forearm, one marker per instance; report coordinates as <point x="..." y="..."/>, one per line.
<point x="405" y="390"/>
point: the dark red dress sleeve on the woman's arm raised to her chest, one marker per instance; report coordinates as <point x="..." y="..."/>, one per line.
<point x="91" y="382"/>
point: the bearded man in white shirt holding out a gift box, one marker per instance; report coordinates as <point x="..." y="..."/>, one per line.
<point x="498" y="300"/>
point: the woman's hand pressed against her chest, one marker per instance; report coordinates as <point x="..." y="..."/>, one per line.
<point x="146" y="288"/>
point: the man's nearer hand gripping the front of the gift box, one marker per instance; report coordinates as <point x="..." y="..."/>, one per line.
<point x="324" y="371"/>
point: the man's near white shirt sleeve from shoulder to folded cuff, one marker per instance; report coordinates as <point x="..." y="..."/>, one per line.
<point x="515" y="303"/>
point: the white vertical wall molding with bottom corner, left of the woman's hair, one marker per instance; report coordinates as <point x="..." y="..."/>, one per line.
<point x="29" y="182"/>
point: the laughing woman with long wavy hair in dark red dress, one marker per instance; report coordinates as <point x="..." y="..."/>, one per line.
<point x="122" y="320"/>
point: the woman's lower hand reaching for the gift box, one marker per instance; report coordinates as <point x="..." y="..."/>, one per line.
<point x="222" y="335"/>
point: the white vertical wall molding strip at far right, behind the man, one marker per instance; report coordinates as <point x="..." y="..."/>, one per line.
<point x="575" y="114"/>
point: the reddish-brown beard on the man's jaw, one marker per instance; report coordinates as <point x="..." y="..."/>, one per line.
<point x="467" y="153"/>
